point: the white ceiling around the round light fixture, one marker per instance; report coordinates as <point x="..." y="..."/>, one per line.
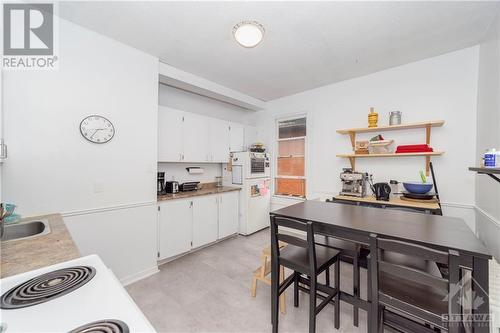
<point x="307" y="44"/>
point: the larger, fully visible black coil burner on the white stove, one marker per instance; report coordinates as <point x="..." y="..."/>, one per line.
<point x="46" y="287"/>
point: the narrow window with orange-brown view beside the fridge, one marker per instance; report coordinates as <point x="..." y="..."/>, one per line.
<point x="290" y="174"/>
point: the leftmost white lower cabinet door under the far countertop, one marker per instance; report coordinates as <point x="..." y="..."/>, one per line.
<point x="175" y="228"/>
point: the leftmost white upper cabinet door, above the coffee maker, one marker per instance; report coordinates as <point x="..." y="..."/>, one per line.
<point x="169" y="134"/>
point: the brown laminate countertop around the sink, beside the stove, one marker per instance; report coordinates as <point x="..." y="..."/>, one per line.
<point x="20" y="256"/>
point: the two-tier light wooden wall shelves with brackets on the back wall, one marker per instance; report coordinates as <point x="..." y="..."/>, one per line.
<point x="427" y="125"/>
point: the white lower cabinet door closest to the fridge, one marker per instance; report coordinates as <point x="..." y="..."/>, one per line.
<point x="228" y="214"/>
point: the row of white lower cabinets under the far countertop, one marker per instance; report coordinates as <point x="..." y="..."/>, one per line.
<point x="185" y="224"/>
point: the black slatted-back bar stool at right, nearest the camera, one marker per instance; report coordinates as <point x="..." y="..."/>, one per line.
<point x="404" y="296"/>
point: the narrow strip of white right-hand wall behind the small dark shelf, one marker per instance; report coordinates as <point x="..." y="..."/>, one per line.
<point x="488" y="136"/>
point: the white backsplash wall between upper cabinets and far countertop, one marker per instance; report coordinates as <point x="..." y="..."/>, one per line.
<point x="178" y="172"/>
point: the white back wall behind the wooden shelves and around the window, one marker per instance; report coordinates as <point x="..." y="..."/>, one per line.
<point x="443" y="87"/>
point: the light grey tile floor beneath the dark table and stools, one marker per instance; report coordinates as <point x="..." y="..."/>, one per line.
<point x="209" y="291"/>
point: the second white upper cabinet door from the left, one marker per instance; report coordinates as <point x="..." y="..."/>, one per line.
<point x="196" y="138"/>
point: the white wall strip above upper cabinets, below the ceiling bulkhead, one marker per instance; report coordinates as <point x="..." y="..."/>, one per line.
<point x="187" y="101"/>
